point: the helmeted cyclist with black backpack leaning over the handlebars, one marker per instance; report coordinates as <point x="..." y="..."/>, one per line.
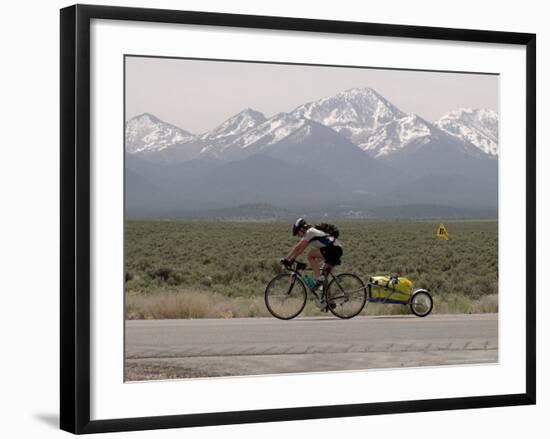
<point x="324" y="248"/>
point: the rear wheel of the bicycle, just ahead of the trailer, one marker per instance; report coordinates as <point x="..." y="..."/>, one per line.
<point x="346" y="295"/>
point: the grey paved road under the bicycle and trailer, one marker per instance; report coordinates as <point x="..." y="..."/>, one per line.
<point x="157" y="349"/>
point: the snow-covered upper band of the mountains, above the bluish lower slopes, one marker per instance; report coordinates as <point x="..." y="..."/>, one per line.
<point x="360" y="115"/>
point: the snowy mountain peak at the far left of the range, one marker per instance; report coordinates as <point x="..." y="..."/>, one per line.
<point x="146" y="133"/>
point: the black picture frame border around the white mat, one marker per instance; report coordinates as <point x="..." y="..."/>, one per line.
<point x="75" y="217"/>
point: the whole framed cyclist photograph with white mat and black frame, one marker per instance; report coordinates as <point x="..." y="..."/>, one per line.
<point x="274" y="218"/>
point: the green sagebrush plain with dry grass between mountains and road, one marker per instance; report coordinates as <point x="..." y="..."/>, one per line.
<point x="230" y="263"/>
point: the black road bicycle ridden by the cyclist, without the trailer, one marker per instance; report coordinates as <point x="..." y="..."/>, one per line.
<point x="344" y="295"/>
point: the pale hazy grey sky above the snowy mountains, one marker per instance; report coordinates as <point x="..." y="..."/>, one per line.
<point x="198" y="95"/>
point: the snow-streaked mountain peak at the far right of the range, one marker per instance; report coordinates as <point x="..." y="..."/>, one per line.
<point x="476" y="126"/>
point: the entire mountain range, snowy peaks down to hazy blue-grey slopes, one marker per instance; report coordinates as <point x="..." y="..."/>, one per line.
<point x="353" y="150"/>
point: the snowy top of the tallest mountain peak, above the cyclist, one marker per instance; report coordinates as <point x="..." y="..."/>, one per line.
<point x="356" y="113"/>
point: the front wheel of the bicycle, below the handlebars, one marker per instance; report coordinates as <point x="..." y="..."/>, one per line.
<point x="285" y="296"/>
